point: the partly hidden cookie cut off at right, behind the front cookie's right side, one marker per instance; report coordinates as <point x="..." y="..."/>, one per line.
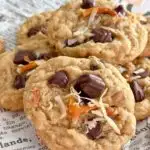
<point x="139" y="79"/>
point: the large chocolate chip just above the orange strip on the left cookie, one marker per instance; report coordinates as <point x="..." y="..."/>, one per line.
<point x="20" y="57"/>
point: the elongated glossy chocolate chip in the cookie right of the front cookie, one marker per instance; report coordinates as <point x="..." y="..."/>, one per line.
<point x="137" y="91"/>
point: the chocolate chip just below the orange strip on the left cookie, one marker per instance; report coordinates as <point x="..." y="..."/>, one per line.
<point x="20" y="81"/>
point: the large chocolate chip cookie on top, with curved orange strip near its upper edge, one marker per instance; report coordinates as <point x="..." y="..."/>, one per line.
<point x="97" y="28"/>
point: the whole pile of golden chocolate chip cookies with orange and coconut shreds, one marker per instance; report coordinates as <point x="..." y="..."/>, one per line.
<point x="81" y="74"/>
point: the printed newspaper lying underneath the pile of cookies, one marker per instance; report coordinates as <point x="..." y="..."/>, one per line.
<point x="16" y="132"/>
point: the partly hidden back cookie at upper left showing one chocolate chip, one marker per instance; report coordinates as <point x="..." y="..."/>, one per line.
<point x="33" y="33"/>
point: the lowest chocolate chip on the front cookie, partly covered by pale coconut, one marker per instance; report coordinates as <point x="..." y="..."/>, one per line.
<point x="95" y="132"/>
